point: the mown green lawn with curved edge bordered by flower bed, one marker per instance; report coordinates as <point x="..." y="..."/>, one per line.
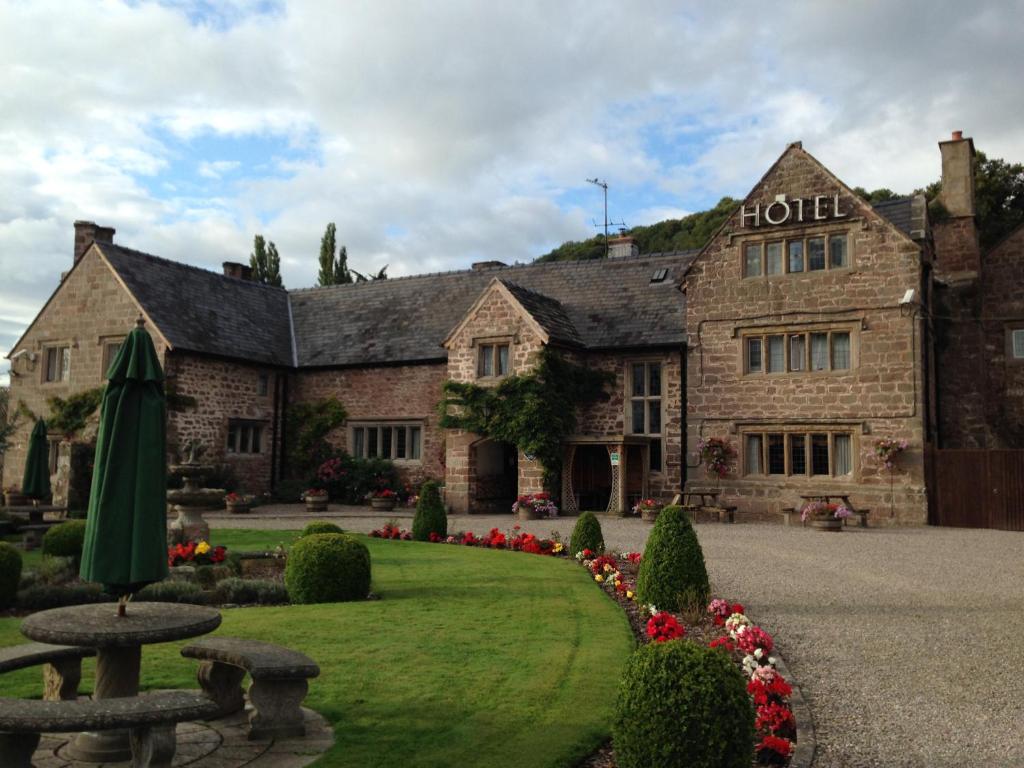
<point x="472" y="658"/>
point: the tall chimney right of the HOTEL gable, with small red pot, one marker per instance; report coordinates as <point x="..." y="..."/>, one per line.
<point x="958" y="252"/>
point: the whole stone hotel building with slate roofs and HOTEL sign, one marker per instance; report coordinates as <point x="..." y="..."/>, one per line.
<point x="812" y="325"/>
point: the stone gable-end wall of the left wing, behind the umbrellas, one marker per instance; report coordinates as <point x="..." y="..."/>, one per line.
<point x="90" y="309"/>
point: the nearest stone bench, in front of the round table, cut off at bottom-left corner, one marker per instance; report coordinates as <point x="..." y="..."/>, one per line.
<point x="150" y="718"/>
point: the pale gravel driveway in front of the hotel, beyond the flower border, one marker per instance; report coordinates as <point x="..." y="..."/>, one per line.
<point x="907" y="643"/>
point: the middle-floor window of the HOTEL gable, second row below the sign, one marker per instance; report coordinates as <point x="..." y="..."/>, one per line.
<point x="798" y="352"/>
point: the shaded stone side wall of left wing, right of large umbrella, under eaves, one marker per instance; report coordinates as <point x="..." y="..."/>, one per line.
<point x="224" y="391"/>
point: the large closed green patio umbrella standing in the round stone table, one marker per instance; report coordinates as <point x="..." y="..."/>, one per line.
<point x="126" y="529"/>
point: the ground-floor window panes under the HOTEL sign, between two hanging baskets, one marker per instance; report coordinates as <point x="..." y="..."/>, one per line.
<point x="798" y="452"/>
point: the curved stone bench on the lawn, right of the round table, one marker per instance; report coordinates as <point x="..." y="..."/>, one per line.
<point x="279" y="682"/>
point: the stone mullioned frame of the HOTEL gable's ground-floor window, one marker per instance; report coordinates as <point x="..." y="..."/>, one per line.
<point x="806" y="431"/>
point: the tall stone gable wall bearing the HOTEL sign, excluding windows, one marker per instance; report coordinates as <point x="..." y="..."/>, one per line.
<point x="880" y="397"/>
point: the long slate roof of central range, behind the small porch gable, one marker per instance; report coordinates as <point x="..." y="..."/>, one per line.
<point x="607" y="303"/>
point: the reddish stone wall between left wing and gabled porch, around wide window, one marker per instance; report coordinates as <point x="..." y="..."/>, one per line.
<point x="382" y="395"/>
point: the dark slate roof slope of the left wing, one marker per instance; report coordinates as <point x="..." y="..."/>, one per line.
<point x="203" y="312"/>
